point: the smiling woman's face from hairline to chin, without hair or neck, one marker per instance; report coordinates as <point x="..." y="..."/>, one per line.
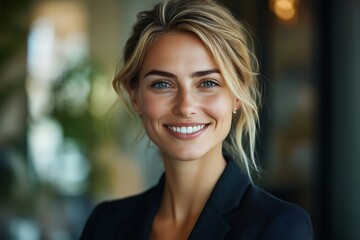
<point x="185" y="104"/>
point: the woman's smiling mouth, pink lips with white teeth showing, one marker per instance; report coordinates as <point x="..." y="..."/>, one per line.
<point x="196" y="129"/>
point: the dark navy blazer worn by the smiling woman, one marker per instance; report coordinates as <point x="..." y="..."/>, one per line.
<point x="236" y="209"/>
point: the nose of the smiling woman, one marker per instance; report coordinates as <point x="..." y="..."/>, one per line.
<point x="185" y="104"/>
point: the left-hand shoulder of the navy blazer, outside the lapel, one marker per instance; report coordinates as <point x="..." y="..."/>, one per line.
<point x="106" y="216"/>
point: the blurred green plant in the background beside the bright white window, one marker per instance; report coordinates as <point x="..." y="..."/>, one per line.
<point x="71" y="95"/>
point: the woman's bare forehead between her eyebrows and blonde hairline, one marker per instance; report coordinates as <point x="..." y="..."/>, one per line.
<point x="178" y="51"/>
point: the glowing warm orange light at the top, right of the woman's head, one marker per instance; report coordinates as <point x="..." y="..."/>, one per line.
<point x="285" y="10"/>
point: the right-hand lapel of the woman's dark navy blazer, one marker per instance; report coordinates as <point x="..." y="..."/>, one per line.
<point x="225" y="197"/>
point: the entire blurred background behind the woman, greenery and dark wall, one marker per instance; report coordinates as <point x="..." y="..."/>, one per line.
<point x="65" y="144"/>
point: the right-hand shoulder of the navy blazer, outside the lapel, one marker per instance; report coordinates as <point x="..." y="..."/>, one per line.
<point x="273" y="218"/>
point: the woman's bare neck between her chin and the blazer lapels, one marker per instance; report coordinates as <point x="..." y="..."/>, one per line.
<point x="188" y="186"/>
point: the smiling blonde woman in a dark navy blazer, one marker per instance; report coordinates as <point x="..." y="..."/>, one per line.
<point x="191" y="77"/>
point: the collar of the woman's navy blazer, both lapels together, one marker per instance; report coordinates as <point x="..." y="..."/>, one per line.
<point x="211" y="224"/>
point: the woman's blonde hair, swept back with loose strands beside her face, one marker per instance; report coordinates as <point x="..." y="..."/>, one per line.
<point x="227" y="40"/>
